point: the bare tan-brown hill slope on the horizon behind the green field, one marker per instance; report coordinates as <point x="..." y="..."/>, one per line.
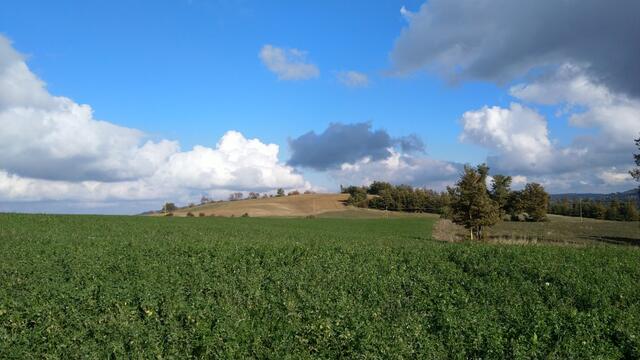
<point x="297" y="205"/>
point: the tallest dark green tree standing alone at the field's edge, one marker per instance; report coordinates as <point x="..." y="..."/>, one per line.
<point x="471" y="205"/>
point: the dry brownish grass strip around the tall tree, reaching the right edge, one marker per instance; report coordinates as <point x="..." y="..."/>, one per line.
<point x="558" y="230"/>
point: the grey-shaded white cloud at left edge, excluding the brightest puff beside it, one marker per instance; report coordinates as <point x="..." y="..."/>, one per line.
<point x="51" y="137"/>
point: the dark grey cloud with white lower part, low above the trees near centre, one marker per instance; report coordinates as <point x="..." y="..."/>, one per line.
<point x="357" y="154"/>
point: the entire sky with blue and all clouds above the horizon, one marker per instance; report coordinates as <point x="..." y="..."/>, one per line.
<point x="120" y="106"/>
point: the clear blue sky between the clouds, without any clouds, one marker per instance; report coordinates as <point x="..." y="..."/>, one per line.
<point x="190" y="70"/>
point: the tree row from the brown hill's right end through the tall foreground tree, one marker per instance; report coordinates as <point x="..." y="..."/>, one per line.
<point x="469" y="203"/>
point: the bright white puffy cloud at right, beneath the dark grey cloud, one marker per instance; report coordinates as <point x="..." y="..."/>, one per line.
<point x="521" y="145"/>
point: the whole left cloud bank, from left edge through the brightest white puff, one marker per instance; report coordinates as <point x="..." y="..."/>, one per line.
<point x="53" y="149"/>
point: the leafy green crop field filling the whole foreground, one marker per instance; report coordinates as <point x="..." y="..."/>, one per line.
<point x="143" y="287"/>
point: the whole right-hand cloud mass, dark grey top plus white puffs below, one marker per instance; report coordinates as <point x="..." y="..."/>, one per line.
<point x="581" y="60"/>
